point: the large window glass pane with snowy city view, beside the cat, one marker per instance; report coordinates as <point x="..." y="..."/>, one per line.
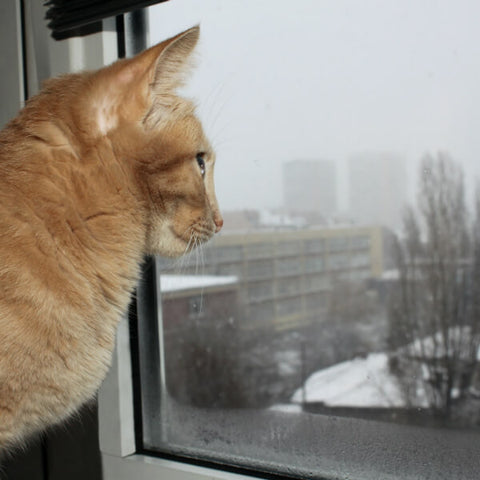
<point x="332" y="328"/>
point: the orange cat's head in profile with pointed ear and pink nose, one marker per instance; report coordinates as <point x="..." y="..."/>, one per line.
<point x="156" y="131"/>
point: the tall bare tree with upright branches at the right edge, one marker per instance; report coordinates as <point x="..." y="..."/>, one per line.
<point x="434" y="310"/>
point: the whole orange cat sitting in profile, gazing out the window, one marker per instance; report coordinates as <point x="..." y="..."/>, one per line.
<point x="96" y="171"/>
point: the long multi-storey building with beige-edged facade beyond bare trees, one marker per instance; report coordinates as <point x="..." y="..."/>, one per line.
<point x="285" y="278"/>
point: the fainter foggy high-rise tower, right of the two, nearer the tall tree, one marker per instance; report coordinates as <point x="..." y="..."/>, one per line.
<point x="377" y="188"/>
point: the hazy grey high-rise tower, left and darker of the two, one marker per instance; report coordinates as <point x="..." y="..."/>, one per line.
<point x="310" y="187"/>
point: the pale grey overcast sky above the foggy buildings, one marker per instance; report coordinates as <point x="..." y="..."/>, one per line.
<point x="281" y="80"/>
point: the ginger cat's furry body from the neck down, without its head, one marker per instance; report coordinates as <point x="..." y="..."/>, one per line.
<point x="67" y="223"/>
